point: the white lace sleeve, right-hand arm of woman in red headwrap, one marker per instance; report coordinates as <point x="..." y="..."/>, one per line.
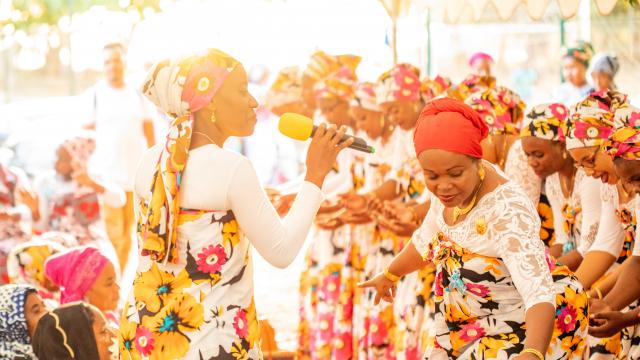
<point x="515" y="233"/>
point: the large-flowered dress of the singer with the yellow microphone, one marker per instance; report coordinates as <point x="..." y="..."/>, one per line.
<point x="174" y="309"/>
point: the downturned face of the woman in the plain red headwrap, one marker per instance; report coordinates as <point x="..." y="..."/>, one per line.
<point x="452" y="177"/>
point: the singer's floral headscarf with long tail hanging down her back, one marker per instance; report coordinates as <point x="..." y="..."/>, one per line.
<point x="178" y="87"/>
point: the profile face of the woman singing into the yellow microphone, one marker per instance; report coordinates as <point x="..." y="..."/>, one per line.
<point x="234" y="106"/>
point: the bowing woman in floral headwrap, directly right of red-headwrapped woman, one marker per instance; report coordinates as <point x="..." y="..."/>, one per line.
<point x="574" y="197"/>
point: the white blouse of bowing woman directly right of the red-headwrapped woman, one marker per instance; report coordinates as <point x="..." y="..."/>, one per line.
<point x="585" y="197"/>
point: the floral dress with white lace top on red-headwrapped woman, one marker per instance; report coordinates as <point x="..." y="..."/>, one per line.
<point x="490" y="268"/>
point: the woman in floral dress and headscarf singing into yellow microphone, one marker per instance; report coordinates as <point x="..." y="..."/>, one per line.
<point x="200" y="208"/>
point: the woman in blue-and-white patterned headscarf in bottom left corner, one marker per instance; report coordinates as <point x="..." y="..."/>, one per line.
<point x="20" y="310"/>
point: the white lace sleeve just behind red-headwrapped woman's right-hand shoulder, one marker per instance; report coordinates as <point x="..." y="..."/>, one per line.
<point x="519" y="171"/>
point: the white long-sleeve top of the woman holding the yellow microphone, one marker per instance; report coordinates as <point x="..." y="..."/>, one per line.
<point x="218" y="179"/>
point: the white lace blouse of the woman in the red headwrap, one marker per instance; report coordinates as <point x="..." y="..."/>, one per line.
<point x="512" y="234"/>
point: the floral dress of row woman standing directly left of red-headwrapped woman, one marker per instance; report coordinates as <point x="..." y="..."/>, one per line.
<point x="396" y="331"/>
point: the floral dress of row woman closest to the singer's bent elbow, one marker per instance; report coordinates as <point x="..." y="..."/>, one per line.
<point x="326" y="299"/>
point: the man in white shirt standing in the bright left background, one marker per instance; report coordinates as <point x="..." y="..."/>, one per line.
<point x="124" y="130"/>
